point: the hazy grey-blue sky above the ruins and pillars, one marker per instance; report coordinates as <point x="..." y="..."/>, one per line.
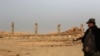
<point x="48" y="13"/>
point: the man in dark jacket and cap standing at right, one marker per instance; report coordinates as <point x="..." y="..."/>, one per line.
<point x="91" y="39"/>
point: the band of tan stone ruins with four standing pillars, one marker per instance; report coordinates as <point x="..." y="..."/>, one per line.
<point x="60" y="38"/>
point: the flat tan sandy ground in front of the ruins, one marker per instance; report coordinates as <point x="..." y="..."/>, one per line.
<point x="18" y="47"/>
